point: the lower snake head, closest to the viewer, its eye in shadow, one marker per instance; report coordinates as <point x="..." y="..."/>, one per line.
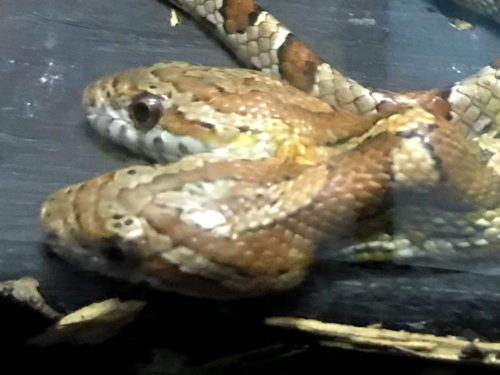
<point x="186" y="227"/>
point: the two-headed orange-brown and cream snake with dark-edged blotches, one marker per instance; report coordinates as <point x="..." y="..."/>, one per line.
<point x="258" y="167"/>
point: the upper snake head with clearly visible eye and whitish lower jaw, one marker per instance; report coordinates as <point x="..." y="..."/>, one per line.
<point x="166" y="111"/>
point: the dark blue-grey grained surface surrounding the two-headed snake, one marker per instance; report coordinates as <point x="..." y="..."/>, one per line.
<point x="49" y="51"/>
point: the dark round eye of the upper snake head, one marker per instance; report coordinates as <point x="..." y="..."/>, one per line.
<point x="145" y="110"/>
